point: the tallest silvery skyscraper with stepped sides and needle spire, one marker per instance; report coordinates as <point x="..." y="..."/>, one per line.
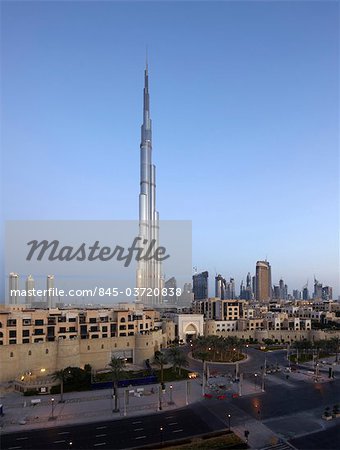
<point x="149" y="272"/>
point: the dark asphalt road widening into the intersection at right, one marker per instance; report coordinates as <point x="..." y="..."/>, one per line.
<point x="288" y="408"/>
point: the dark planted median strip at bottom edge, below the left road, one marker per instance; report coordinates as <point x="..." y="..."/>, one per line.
<point x="215" y="440"/>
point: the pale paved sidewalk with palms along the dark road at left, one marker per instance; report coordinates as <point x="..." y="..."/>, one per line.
<point x="92" y="406"/>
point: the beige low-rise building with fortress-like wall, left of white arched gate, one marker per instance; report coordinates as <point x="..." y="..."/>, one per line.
<point x="44" y="341"/>
